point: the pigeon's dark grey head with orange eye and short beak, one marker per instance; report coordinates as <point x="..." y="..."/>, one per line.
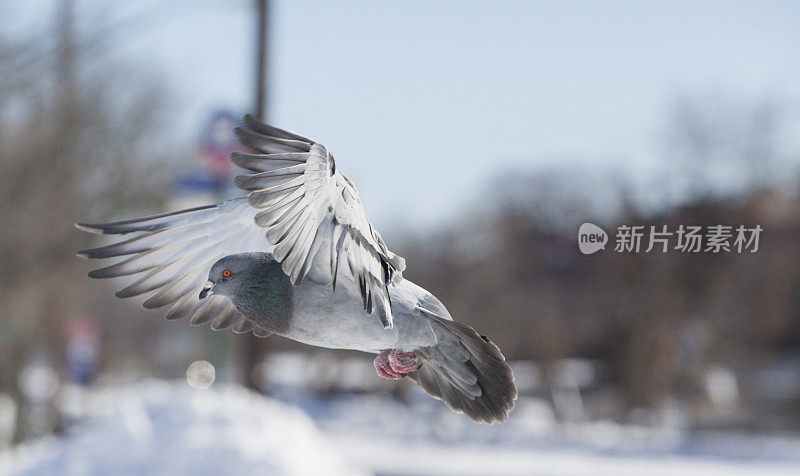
<point x="234" y="273"/>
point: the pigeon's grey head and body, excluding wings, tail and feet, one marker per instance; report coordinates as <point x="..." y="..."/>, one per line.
<point x="314" y="313"/>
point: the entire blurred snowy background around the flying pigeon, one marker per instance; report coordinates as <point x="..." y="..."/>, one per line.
<point x="480" y="135"/>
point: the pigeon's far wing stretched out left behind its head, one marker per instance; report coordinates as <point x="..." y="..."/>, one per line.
<point x="172" y="255"/>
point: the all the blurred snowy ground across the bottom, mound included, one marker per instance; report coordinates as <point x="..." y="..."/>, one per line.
<point x="158" y="427"/>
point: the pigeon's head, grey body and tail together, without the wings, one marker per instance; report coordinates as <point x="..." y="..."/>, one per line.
<point x="461" y="367"/>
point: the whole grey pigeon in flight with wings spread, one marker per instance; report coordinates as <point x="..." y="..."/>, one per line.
<point x="297" y="257"/>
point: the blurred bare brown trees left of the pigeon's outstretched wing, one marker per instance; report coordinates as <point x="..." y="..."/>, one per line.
<point x="76" y="141"/>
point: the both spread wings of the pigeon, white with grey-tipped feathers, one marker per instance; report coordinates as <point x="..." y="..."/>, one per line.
<point x="299" y="207"/>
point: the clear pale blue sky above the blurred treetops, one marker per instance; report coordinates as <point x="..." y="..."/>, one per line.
<point x="423" y="101"/>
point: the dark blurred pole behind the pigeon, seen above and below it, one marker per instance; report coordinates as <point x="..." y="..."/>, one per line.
<point x="253" y="347"/>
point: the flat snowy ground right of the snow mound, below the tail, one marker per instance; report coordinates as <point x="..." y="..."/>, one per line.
<point x="425" y="438"/>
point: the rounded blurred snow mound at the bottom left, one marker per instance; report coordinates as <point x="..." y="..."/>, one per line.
<point x="158" y="427"/>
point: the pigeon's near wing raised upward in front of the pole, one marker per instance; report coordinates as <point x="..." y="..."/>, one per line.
<point x="313" y="215"/>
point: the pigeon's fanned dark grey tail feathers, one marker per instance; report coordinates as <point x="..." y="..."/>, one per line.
<point x="467" y="371"/>
